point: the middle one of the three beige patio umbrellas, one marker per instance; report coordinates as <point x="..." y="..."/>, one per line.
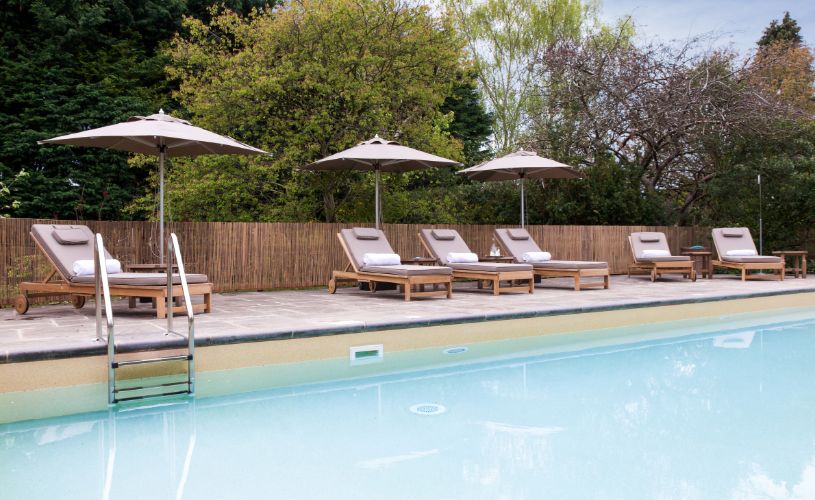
<point x="380" y="155"/>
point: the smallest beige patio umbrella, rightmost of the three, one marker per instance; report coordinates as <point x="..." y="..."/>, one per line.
<point x="520" y="165"/>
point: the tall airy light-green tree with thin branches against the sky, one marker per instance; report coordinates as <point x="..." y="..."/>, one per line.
<point x="505" y="38"/>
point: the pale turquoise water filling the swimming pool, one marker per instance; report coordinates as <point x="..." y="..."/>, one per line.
<point x="721" y="414"/>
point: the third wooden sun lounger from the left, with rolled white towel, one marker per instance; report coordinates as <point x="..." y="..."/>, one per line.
<point x="512" y="274"/>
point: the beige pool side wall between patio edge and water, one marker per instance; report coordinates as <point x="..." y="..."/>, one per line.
<point x="47" y="388"/>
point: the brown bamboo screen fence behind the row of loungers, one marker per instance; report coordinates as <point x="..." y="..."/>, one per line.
<point x="267" y="256"/>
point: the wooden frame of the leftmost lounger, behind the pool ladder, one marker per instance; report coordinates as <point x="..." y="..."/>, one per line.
<point x="49" y="287"/>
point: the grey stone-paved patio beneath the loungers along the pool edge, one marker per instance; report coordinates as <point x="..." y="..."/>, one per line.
<point x="58" y="331"/>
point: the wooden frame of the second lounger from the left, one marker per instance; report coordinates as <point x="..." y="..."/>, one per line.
<point x="353" y="275"/>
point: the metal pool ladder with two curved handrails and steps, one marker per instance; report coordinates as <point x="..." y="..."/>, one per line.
<point x="116" y="392"/>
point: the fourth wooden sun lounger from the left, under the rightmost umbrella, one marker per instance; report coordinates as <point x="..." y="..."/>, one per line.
<point x="577" y="270"/>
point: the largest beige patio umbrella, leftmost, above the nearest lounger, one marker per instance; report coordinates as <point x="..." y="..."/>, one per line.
<point x="161" y="135"/>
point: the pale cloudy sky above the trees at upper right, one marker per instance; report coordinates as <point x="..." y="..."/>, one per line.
<point x="738" y="23"/>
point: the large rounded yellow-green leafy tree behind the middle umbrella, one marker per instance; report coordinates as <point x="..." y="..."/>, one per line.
<point x="310" y="78"/>
